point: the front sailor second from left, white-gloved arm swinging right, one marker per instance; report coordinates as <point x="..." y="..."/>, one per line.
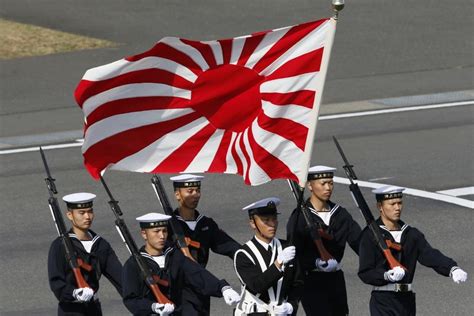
<point x="170" y="265"/>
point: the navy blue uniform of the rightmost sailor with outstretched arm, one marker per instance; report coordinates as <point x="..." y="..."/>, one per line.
<point x="373" y="265"/>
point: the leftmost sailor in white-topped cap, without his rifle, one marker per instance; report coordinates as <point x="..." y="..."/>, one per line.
<point x="94" y="250"/>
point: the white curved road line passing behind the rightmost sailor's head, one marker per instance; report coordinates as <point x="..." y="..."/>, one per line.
<point x="415" y="192"/>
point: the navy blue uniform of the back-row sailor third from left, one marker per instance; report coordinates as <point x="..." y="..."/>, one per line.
<point x="210" y="237"/>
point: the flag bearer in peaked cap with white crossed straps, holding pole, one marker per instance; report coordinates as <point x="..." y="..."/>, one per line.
<point x="265" y="266"/>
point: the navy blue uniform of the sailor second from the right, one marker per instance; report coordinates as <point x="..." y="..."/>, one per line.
<point x="324" y="292"/>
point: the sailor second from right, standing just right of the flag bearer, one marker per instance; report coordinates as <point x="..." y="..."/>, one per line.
<point x="324" y="284"/>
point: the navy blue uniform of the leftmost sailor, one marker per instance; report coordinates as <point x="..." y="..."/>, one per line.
<point x="62" y="282"/>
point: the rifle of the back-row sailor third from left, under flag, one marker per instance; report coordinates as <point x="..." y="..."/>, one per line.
<point x="178" y="235"/>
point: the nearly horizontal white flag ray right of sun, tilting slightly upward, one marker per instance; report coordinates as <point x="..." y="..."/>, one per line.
<point x="306" y="81"/>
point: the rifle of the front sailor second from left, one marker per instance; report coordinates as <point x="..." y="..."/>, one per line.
<point x="151" y="281"/>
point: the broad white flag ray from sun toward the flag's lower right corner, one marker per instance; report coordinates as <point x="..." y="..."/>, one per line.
<point x="286" y="151"/>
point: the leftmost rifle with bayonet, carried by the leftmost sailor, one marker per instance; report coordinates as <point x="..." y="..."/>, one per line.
<point x="75" y="262"/>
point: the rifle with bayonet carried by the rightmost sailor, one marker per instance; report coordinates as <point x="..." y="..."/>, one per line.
<point x="384" y="245"/>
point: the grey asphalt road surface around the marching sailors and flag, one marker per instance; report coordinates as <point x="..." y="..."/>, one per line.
<point x="382" y="49"/>
